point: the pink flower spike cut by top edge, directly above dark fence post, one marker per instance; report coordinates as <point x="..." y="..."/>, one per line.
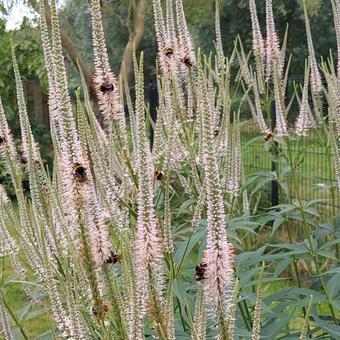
<point x="272" y="43"/>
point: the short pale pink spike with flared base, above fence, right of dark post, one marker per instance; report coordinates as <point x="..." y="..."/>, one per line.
<point x="305" y="120"/>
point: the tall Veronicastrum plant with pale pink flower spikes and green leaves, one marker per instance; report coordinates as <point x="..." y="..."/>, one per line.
<point x="127" y="241"/>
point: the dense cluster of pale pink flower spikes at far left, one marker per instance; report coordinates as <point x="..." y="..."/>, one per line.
<point x="65" y="211"/>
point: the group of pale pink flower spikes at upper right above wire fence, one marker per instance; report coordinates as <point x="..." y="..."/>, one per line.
<point x="270" y="61"/>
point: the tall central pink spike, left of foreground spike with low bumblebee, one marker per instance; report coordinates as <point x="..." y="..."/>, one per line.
<point x="148" y="246"/>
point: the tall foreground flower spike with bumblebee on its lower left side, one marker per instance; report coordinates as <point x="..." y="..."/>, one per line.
<point x="219" y="254"/>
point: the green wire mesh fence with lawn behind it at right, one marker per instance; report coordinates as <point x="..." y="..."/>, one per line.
<point x="312" y="180"/>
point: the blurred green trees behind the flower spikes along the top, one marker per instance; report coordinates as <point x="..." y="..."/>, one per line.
<point x="119" y="25"/>
